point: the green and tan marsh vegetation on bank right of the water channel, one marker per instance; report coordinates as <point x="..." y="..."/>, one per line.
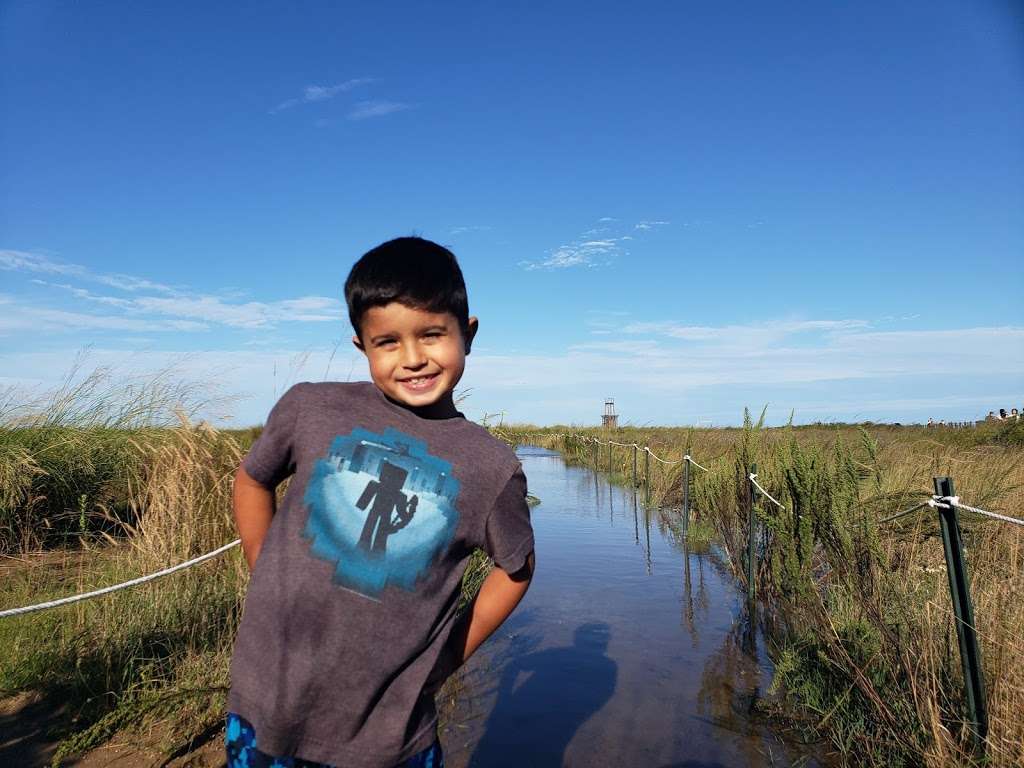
<point x="859" y="614"/>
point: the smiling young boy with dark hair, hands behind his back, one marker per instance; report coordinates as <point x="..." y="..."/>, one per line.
<point x="350" y="625"/>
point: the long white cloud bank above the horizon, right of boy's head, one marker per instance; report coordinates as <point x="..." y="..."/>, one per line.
<point x="659" y="366"/>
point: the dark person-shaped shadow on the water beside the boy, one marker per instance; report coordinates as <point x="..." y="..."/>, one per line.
<point x="561" y="689"/>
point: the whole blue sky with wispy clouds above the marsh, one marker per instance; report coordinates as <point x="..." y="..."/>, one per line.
<point x="689" y="207"/>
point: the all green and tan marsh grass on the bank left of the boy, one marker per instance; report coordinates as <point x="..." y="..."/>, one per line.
<point x="104" y="481"/>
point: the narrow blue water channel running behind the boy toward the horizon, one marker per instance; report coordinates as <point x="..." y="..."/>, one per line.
<point x="628" y="650"/>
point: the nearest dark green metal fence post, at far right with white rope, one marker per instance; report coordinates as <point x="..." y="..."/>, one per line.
<point x="960" y="592"/>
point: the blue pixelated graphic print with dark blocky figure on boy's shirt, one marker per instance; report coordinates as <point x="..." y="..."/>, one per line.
<point x="381" y="508"/>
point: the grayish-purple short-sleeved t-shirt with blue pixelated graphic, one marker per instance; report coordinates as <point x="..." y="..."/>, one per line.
<point x="355" y="592"/>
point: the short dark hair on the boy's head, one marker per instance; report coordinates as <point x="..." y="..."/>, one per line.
<point x="413" y="272"/>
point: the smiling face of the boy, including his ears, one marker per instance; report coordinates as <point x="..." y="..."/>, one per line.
<point x="416" y="357"/>
